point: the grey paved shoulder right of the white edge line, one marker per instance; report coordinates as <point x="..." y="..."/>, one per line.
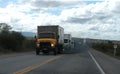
<point x="109" y="64"/>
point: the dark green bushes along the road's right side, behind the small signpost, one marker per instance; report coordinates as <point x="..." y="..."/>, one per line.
<point x="107" y="48"/>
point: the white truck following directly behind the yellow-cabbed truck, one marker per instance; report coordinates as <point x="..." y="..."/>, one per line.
<point x="67" y="41"/>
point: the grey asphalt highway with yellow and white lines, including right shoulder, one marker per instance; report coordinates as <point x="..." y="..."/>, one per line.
<point x="81" y="60"/>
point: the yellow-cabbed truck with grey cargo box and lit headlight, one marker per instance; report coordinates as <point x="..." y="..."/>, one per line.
<point x="50" y="38"/>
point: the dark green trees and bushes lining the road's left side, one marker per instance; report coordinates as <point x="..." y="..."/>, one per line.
<point x="12" y="41"/>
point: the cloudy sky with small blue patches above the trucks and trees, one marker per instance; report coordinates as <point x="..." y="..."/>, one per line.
<point x="96" y="19"/>
